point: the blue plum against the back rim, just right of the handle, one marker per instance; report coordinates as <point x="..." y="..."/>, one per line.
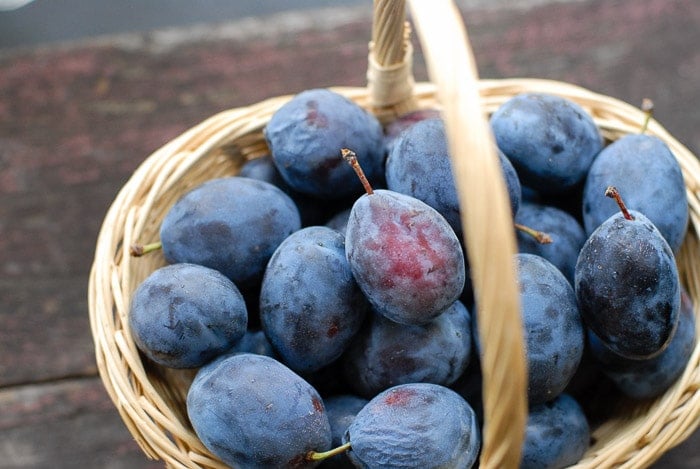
<point x="550" y="140"/>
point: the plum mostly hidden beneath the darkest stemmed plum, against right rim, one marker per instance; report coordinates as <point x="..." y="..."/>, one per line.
<point x="644" y="379"/>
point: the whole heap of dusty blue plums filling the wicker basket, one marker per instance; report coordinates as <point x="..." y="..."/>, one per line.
<point x="323" y="293"/>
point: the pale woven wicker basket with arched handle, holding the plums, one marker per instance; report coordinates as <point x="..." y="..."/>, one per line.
<point x="151" y="399"/>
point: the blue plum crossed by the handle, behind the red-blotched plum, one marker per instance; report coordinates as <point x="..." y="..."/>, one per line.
<point x="419" y="165"/>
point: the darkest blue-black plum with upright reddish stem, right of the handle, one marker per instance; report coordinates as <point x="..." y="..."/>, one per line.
<point x="628" y="287"/>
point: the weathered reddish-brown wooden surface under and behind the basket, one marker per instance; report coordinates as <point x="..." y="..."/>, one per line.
<point x="75" y="121"/>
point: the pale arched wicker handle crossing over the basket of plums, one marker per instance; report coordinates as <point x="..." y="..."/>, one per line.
<point x="485" y="211"/>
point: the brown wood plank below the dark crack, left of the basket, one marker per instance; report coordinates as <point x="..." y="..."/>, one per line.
<point x="65" y="424"/>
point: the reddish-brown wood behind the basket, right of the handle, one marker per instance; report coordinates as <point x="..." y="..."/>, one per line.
<point x="622" y="48"/>
